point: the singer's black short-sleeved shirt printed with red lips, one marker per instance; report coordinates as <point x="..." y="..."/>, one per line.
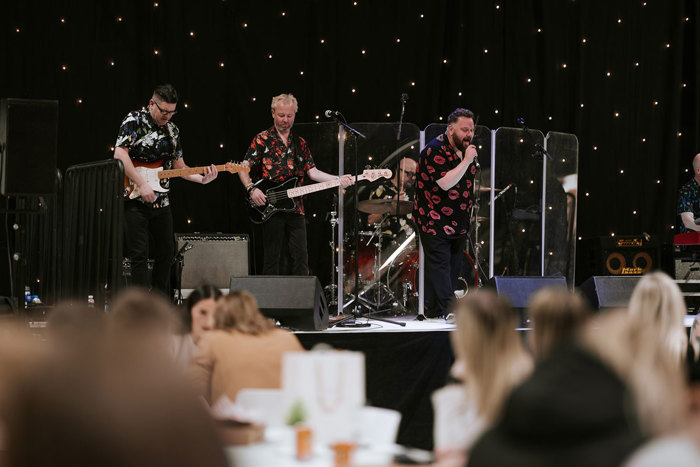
<point x="436" y="211"/>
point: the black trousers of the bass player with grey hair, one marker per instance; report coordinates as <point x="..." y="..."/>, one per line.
<point x="281" y="226"/>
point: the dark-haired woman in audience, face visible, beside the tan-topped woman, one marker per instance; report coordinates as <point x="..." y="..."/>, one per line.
<point x="198" y="318"/>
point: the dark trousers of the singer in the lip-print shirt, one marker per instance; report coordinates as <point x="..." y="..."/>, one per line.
<point x="443" y="262"/>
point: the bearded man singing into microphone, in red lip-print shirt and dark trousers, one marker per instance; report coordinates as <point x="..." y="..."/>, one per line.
<point x="442" y="206"/>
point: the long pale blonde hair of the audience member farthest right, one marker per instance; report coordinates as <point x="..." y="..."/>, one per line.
<point x="657" y="301"/>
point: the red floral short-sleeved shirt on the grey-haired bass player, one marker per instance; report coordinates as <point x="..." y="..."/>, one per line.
<point x="270" y="158"/>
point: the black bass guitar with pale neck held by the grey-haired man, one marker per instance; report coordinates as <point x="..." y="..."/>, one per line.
<point x="280" y="196"/>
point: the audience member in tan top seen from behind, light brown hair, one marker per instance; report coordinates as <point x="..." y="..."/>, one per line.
<point x="244" y="350"/>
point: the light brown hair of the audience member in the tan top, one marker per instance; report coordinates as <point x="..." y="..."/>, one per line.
<point x="239" y="311"/>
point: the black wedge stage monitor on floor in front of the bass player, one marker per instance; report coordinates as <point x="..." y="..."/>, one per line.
<point x="297" y="302"/>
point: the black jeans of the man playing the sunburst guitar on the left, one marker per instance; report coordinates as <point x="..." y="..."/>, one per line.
<point x="142" y="222"/>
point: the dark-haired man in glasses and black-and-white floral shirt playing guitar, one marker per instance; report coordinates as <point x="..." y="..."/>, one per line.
<point x="147" y="137"/>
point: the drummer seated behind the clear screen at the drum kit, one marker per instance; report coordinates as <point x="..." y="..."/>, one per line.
<point x="399" y="187"/>
